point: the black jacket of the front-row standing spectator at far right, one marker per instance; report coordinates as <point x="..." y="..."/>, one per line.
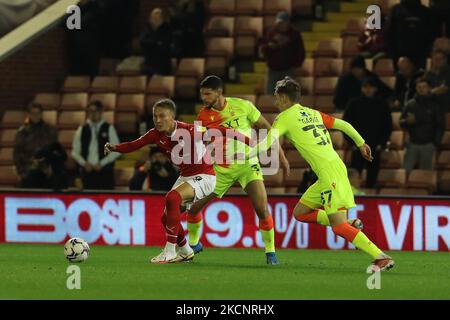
<point x="429" y="126"/>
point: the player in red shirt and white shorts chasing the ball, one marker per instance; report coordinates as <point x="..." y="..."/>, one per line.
<point x="183" y="143"/>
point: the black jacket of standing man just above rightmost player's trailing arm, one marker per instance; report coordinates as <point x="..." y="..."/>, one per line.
<point x="371" y="117"/>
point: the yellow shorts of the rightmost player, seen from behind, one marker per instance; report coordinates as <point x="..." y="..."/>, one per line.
<point x="332" y="190"/>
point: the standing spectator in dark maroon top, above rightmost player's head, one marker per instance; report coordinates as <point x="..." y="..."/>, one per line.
<point x="283" y="50"/>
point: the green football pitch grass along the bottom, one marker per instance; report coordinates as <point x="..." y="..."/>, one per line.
<point x="39" y="272"/>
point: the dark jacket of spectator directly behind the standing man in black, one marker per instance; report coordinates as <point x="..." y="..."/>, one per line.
<point x="349" y="87"/>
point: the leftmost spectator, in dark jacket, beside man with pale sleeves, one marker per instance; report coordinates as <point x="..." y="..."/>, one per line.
<point x="34" y="135"/>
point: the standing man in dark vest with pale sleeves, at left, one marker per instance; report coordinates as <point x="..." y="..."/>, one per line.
<point x="97" y="170"/>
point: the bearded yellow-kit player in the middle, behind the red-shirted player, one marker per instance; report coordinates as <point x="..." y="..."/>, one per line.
<point x="240" y="115"/>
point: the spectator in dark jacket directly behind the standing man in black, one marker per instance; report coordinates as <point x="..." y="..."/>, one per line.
<point x="349" y="84"/>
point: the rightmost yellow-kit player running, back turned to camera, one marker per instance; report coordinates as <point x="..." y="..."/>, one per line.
<point x="326" y="202"/>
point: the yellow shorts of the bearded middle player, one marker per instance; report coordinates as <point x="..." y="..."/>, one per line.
<point x="244" y="173"/>
